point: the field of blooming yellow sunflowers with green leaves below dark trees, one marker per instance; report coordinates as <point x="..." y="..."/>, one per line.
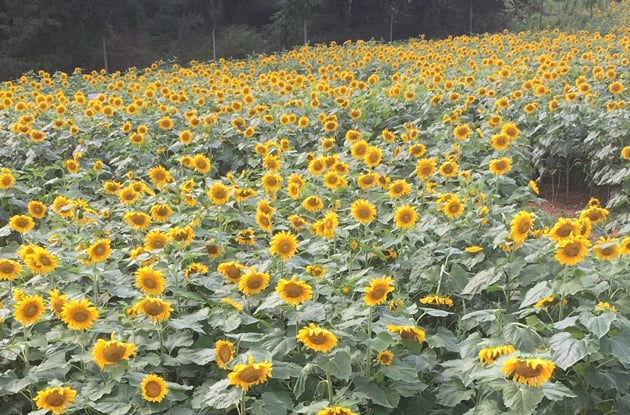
<point x="335" y="230"/>
